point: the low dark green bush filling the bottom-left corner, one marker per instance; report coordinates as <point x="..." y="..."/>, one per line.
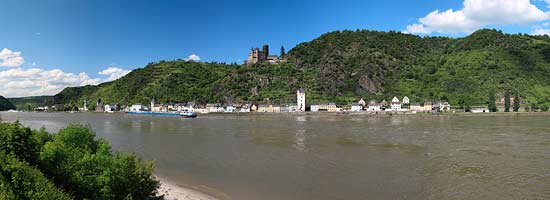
<point x="18" y="180"/>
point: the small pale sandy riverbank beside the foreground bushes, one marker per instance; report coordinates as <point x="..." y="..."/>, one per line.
<point x="172" y="191"/>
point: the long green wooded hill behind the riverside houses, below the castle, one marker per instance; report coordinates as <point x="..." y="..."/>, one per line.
<point x="343" y="66"/>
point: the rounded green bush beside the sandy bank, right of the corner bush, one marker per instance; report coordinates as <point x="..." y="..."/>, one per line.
<point x="86" y="167"/>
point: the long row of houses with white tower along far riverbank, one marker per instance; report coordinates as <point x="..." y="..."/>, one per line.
<point x="396" y="105"/>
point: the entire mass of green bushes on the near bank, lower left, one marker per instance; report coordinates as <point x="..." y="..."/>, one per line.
<point x="73" y="161"/>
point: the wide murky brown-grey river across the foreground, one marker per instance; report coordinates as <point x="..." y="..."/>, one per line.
<point x="291" y="157"/>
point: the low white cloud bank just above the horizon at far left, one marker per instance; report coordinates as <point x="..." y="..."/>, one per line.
<point x="19" y="82"/>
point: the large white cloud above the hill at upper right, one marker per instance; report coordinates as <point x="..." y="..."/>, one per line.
<point x="477" y="14"/>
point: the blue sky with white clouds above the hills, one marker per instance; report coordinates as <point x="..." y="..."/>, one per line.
<point x="80" y="39"/>
